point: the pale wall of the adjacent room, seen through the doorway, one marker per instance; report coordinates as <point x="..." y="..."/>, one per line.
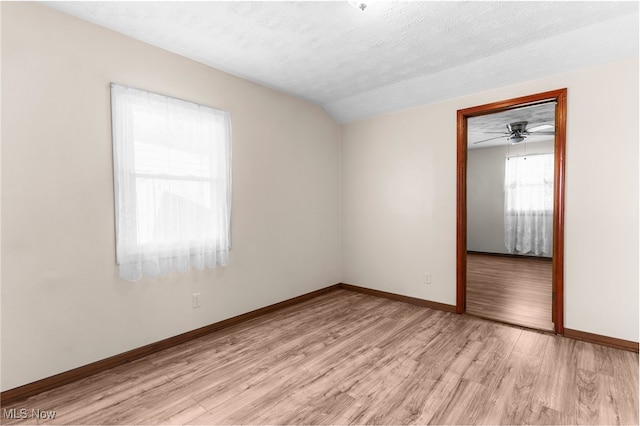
<point x="485" y="194"/>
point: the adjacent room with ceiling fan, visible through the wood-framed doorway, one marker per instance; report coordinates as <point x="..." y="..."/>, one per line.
<point x="510" y="212"/>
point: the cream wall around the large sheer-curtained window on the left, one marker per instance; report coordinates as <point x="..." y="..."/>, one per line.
<point x="63" y="304"/>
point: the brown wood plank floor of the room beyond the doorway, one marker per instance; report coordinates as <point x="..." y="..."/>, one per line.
<point x="515" y="290"/>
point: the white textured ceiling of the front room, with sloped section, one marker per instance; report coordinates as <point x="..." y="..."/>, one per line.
<point x="393" y="55"/>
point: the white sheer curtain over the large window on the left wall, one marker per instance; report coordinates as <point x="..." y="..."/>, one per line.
<point x="172" y="179"/>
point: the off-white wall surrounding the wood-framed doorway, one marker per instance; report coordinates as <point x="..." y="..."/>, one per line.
<point x="399" y="197"/>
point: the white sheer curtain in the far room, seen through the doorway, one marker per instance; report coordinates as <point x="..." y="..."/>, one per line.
<point x="528" y="204"/>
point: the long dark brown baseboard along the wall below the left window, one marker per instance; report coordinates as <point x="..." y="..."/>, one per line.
<point x="25" y="391"/>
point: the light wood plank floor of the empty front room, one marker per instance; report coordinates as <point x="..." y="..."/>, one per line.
<point x="350" y="358"/>
